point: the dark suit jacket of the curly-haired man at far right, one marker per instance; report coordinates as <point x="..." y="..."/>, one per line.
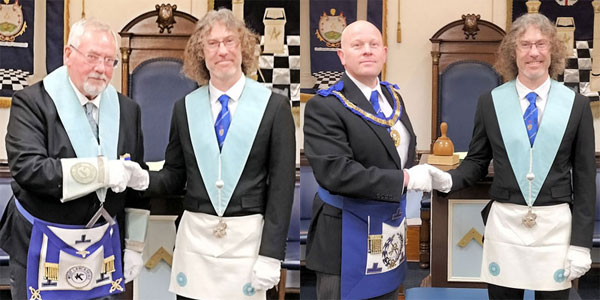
<point x="576" y="153"/>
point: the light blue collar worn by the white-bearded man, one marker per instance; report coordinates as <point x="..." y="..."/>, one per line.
<point x="76" y="124"/>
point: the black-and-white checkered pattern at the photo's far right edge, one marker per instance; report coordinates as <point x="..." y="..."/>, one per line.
<point x="578" y="69"/>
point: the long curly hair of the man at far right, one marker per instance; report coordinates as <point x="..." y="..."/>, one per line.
<point x="506" y="58"/>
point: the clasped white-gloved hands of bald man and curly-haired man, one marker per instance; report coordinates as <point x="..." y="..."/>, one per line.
<point x="427" y="177"/>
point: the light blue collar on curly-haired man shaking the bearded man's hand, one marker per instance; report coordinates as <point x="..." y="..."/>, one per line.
<point x="237" y="145"/>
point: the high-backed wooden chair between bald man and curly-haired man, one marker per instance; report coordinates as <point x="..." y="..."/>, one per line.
<point x="463" y="52"/>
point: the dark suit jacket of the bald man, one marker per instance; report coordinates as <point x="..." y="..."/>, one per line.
<point x="351" y="157"/>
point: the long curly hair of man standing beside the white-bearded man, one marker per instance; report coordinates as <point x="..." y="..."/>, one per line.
<point x="194" y="62"/>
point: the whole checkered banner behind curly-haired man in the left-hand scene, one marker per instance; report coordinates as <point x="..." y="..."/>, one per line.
<point x="277" y="22"/>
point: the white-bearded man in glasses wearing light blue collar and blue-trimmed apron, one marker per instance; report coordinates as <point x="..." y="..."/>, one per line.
<point x="63" y="226"/>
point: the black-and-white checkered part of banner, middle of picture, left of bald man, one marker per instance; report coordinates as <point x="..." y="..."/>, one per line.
<point x="281" y="71"/>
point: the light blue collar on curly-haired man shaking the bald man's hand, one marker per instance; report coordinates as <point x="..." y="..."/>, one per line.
<point x="549" y="135"/>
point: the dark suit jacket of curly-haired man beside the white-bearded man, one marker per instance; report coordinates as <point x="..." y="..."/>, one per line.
<point x="266" y="185"/>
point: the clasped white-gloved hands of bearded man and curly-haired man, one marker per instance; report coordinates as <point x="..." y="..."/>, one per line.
<point x="126" y="173"/>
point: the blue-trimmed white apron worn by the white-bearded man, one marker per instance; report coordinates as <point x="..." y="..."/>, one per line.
<point x="71" y="261"/>
